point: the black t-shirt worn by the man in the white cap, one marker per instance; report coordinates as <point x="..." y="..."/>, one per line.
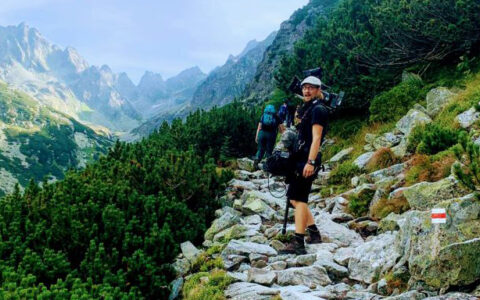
<point x="309" y="117"/>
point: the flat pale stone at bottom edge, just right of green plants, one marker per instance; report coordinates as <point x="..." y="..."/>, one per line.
<point x="247" y="290"/>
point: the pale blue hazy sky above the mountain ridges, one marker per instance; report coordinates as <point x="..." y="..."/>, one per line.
<point x="165" y="37"/>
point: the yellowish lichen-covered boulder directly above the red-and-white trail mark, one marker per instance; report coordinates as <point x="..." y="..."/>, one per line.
<point x="425" y="195"/>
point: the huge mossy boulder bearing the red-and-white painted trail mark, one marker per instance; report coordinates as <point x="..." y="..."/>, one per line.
<point x="443" y="255"/>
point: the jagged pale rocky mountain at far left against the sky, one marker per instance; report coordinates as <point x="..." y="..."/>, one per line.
<point x="62" y="79"/>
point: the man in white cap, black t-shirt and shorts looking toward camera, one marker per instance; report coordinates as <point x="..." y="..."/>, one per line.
<point x="312" y="119"/>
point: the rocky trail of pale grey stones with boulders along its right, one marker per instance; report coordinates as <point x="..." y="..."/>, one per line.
<point x="402" y="256"/>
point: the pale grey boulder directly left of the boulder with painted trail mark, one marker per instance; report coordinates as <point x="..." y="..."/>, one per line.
<point x="374" y="258"/>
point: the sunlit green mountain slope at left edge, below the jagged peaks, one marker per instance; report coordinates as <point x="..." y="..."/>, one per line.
<point x="36" y="141"/>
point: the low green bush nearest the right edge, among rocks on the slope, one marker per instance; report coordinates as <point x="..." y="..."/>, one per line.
<point x="431" y="139"/>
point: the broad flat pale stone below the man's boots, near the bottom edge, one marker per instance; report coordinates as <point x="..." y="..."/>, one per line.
<point x="308" y="276"/>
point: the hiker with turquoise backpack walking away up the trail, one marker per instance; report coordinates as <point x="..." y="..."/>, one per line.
<point x="267" y="133"/>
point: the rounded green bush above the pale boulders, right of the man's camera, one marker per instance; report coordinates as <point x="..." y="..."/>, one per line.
<point x="395" y="103"/>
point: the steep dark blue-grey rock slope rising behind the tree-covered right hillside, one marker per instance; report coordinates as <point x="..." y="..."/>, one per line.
<point x="290" y="32"/>
